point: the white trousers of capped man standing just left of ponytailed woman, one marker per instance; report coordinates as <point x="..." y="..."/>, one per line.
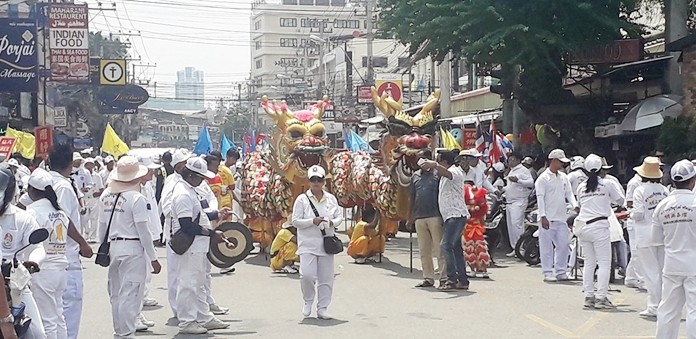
<point x="557" y="235"/>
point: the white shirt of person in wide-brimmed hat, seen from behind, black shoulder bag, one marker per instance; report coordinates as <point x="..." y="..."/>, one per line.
<point x="130" y="219"/>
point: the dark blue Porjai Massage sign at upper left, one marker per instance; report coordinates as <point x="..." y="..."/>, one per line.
<point x="18" y="55"/>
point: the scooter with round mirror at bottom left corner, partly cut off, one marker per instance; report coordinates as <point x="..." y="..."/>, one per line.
<point x="17" y="276"/>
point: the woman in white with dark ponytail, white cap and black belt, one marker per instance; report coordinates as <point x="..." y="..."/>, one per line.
<point x="595" y="197"/>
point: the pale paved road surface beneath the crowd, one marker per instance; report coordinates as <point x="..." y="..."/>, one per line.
<point x="379" y="301"/>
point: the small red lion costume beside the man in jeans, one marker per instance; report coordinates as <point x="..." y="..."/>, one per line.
<point x="473" y="241"/>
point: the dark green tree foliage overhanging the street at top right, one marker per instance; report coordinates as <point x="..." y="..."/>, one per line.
<point x="538" y="34"/>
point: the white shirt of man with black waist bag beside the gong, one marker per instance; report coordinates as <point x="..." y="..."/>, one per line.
<point x="186" y="204"/>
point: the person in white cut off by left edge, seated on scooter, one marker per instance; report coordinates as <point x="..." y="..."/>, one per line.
<point x="16" y="225"/>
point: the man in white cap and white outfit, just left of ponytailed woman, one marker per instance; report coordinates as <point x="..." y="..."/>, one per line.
<point x="553" y="192"/>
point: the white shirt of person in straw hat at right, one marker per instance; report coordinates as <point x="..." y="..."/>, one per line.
<point x="646" y="197"/>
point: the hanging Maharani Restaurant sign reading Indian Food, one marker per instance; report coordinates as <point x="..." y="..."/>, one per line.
<point x="69" y="42"/>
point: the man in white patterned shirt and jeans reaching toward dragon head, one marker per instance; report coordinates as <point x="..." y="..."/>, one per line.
<point x="454" y="213"/>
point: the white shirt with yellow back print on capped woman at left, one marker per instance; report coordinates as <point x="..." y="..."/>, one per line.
<point x="56" y="222"/>
